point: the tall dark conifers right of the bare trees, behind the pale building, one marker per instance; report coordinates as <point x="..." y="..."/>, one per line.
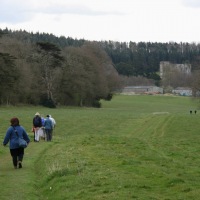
<point x="144" y="58"/>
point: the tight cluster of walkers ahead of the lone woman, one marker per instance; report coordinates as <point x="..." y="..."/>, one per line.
<point x="43" y="127"/>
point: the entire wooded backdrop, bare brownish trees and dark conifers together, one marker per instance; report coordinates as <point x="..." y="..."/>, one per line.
<point x="40" y="68"/>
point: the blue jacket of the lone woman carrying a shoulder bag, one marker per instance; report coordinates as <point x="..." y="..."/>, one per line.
<point x="13" y="138"/>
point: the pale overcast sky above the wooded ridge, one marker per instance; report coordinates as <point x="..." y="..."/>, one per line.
<point x="116" y="20"/>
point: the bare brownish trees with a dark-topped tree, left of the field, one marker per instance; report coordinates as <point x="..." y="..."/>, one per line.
<point x="42" y="73"/>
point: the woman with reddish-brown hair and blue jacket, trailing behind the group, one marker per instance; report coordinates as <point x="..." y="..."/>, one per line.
<point x="16" y="152"/>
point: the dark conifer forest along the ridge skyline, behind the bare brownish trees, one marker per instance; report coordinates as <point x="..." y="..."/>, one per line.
<point x="129" y="58"/>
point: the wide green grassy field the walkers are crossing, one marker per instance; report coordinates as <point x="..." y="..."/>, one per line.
<point x="134" y="147"/>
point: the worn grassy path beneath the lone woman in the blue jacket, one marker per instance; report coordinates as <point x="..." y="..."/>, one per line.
<point x="20" y="183"/>
